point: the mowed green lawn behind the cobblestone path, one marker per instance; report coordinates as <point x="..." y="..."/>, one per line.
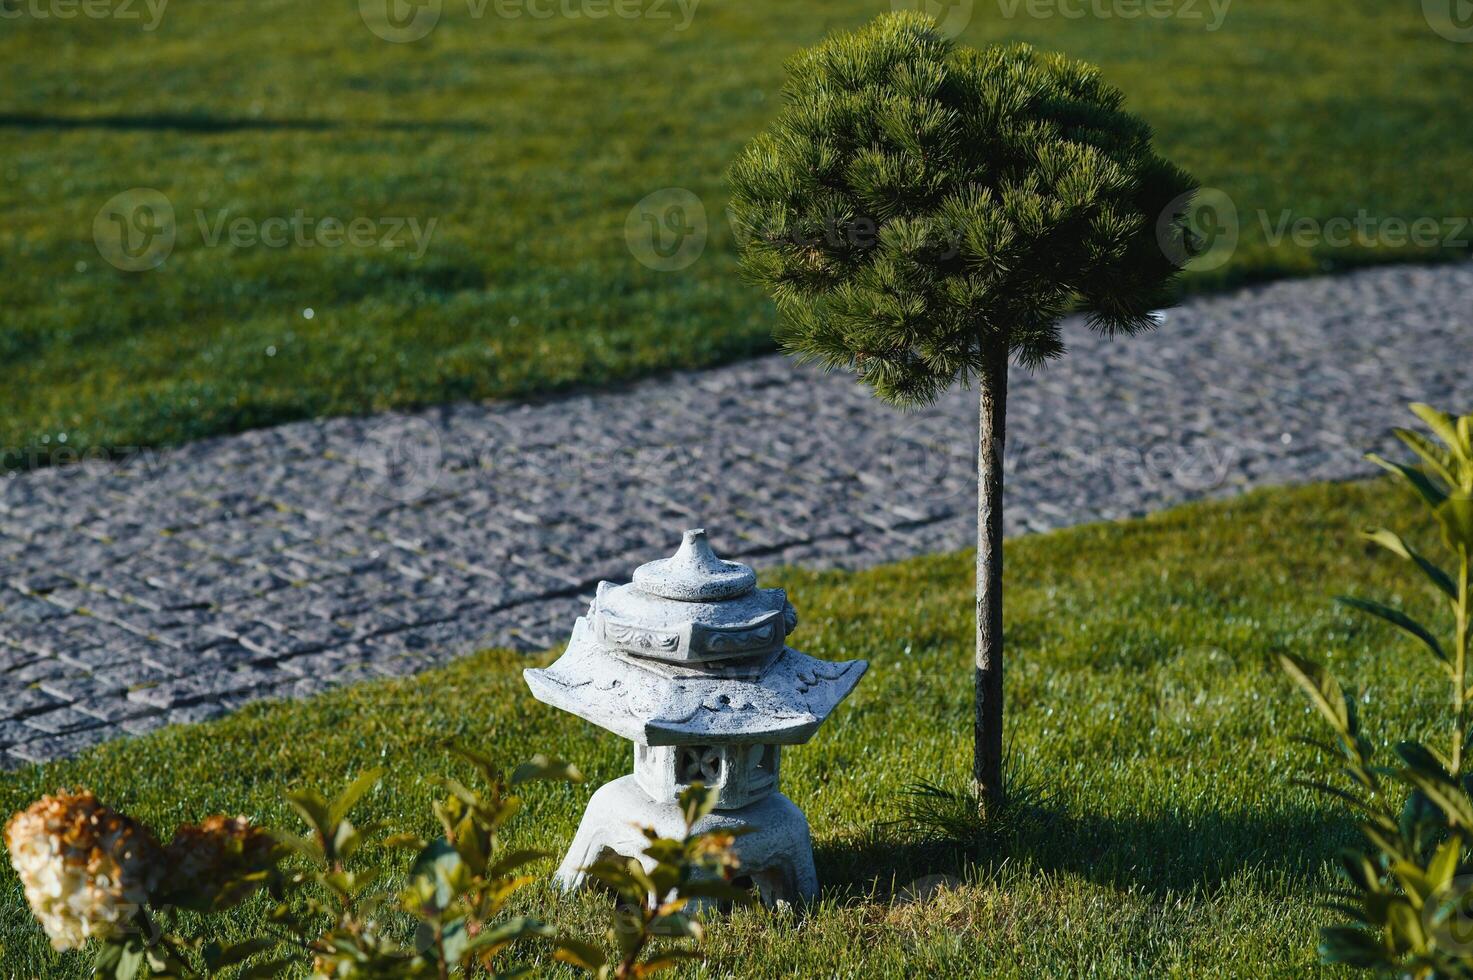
<point x="528" y="142"/>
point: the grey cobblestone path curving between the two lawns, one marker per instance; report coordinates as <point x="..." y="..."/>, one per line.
<point x="177" y="586"/>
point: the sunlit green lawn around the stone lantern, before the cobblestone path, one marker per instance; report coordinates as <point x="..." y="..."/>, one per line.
<point x="1142" y="701"/>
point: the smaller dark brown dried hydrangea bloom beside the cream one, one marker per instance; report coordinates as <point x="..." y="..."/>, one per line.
<point x="210" y="867"/>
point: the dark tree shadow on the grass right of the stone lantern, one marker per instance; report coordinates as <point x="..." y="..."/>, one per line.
<point x="1156" y="854"/>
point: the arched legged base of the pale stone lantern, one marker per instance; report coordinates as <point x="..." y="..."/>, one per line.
<point x="777" y="854"/>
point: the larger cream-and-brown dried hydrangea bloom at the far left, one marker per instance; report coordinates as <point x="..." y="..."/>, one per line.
<point x="86" y="869"/>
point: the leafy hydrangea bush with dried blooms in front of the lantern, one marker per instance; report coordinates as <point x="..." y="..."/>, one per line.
<point x="95" y="875"/>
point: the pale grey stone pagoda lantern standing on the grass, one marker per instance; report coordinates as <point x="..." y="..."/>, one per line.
<point x="690" y="662"/>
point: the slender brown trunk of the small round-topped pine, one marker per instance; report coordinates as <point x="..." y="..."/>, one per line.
<point x="988" y="761"/>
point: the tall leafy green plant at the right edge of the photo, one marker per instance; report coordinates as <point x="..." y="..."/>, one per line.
<point x="1410" y="886"/>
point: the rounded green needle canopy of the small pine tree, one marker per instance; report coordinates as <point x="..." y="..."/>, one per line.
<point x="920" y="210"/>
